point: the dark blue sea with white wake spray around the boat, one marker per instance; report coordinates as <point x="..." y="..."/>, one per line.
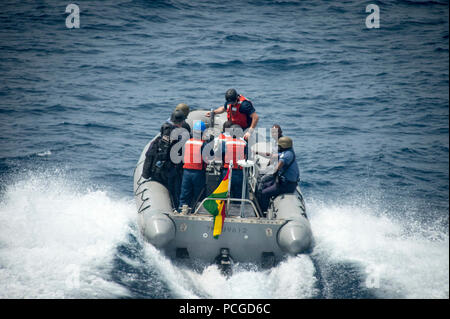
<point x="368" y="109"/>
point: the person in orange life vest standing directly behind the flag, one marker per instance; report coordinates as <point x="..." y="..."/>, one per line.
<point x="234" y="148"/>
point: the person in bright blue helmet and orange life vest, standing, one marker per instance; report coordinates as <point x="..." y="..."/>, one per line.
<point x="194" y="167"/>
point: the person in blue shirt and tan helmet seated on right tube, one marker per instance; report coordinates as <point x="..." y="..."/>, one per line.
<point x="286" y="174"/>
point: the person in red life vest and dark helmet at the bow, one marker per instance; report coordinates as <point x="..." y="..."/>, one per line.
<point x="240" y="111"/>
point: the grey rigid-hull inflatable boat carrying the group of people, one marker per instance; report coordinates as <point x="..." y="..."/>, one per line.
<point x="248" y="235"/>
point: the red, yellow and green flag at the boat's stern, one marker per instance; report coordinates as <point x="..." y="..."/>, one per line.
<point x="217" y="207"/>
